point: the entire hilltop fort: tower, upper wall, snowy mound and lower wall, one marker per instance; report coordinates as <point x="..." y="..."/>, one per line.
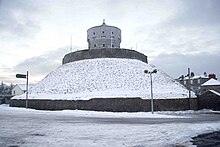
<point x="106" y="77"/>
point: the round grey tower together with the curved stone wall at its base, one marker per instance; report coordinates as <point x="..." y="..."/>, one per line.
<point x="103" y="42"/>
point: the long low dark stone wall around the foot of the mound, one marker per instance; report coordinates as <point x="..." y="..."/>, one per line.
<point x="109" y="104"/>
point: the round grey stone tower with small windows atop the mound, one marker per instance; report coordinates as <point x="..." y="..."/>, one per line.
<point x="103" y="36"/>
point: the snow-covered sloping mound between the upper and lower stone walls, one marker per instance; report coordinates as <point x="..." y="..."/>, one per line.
<point x="105" y="78"/>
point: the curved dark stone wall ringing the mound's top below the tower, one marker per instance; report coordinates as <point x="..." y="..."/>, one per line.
<point x="104" y="53"/>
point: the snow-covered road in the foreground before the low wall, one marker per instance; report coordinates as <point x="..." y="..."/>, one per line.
<point x="21" y="127"/>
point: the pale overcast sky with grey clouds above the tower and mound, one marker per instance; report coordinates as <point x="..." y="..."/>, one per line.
<point x="174" y="34"/>
